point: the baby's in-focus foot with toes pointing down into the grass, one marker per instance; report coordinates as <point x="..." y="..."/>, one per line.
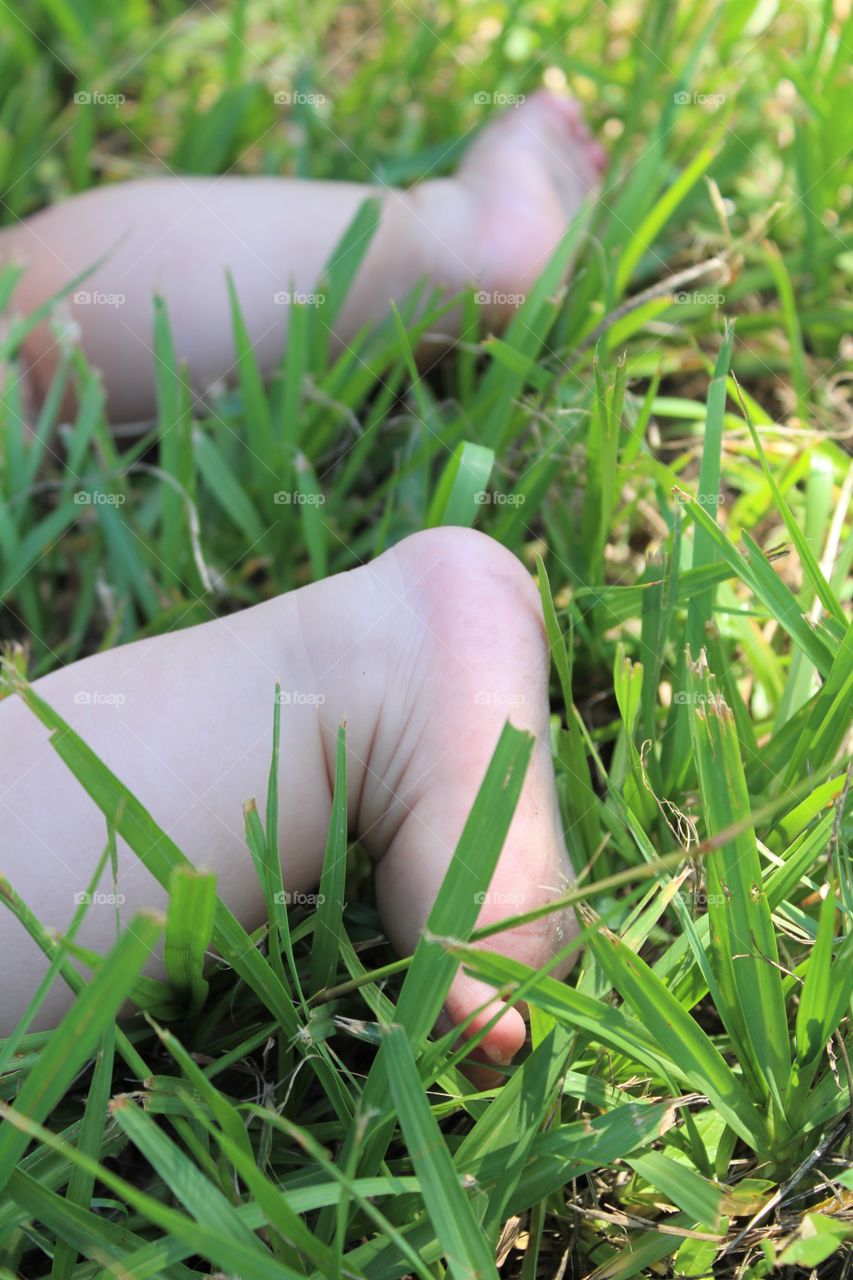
<point x="467" y="651"/>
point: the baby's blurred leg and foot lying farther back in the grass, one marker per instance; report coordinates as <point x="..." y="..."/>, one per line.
<point x="492" y="226"/>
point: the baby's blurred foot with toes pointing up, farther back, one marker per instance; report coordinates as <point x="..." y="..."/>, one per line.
<point x="530" y="172"/>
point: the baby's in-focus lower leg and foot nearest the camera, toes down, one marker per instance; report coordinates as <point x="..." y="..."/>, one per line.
<point x="425" y="655"/>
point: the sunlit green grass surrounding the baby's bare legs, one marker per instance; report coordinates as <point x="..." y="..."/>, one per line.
<point x="670" y="440"/>
